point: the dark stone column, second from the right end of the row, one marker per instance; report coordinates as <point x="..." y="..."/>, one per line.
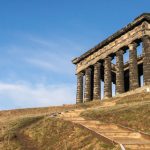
<point x="133" y="67"/>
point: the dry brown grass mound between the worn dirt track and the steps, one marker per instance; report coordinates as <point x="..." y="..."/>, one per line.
<point x="62" y="135"/>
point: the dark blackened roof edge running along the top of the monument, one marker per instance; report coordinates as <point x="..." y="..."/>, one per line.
<point x="130" y="26"/>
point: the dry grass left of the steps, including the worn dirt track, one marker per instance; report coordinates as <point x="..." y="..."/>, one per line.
<point x="35" y="133"/>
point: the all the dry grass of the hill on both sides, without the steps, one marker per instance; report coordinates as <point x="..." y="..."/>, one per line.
<point x="34" y="129"/>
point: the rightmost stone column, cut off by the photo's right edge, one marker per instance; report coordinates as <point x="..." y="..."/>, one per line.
<point x="146" y="59"/>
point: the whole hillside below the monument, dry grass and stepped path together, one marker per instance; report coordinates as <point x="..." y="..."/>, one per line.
<point x="94" y="125"/>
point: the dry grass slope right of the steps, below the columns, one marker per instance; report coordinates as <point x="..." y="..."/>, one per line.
<point x="131" y="111"/>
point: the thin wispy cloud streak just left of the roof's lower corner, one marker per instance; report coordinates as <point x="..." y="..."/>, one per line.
<point x="56" y="63"/>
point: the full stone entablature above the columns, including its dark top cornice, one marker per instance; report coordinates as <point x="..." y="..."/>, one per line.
<point x="111" y="47"/>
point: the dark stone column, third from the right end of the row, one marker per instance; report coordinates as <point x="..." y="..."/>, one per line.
<point x="119" y="72"/>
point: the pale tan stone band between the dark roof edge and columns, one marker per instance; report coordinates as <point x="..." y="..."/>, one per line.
<point x="114" y="46"/>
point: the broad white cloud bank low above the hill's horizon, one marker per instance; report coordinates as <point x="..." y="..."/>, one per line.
<point x="25" y="95"/>
